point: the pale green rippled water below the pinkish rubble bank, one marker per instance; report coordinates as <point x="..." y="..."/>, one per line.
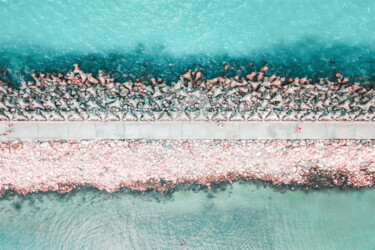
<point x="241" y="217"/>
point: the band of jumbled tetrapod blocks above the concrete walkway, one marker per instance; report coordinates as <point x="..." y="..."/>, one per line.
<point x="79" y="96"/>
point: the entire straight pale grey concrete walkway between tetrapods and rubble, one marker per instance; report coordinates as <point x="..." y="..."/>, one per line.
<point x="188" y="130"/>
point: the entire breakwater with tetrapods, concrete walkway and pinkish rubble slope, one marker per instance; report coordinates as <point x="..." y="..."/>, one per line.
<point x="54" y="132"/>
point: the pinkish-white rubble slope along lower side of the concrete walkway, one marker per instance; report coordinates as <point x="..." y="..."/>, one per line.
<point x="33" y="166"/>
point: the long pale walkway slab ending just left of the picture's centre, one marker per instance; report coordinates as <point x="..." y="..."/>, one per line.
<point x="153" y="130"/>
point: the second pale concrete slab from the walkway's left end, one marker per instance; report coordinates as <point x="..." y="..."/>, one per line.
<point x="53" y="131"/>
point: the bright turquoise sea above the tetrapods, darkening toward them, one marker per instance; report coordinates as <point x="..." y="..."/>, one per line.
<point x="297" y="37"/>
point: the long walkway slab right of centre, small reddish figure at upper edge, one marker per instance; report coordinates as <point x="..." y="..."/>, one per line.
<point x="210" y="130"/>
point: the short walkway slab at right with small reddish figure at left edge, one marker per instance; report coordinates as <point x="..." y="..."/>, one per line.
<point x="312" y="130"/>
